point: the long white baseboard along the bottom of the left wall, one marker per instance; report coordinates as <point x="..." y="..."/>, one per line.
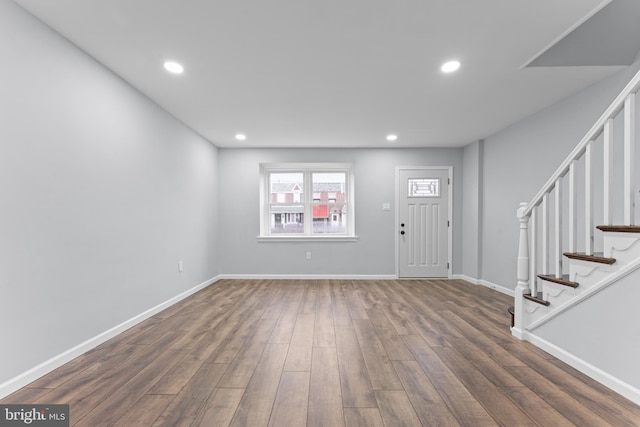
<point x="55" y="362"/>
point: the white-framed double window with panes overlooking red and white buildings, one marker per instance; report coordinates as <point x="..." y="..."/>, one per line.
<point x="306" y="200"/>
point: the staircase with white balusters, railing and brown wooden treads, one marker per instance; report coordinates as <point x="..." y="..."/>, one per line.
<point x="563" y="258"/>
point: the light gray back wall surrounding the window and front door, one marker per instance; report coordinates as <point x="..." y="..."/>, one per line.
<point x="372" y="254"/>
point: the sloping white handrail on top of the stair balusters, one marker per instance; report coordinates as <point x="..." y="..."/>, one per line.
<point x="614" y="108"/>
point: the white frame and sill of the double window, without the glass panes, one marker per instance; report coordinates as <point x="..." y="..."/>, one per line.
<point x="307" y="169"/>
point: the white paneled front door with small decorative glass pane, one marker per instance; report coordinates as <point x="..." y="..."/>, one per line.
<point x="423" y="222"/>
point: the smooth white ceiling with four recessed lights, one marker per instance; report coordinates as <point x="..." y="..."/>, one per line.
<point x="334" y="73"/>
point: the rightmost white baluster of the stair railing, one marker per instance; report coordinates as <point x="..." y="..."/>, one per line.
<point x="629" y="158"/>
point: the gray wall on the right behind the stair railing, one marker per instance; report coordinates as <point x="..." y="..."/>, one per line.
<point x="520" y="159"/>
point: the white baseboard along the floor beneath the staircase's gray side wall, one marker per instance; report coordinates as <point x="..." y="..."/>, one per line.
<point x="608" y="380"/>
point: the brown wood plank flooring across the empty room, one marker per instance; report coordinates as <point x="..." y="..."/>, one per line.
<point x="328" y="353"/>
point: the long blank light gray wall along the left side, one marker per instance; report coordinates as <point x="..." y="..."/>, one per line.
<point x="101" y="192"/>
